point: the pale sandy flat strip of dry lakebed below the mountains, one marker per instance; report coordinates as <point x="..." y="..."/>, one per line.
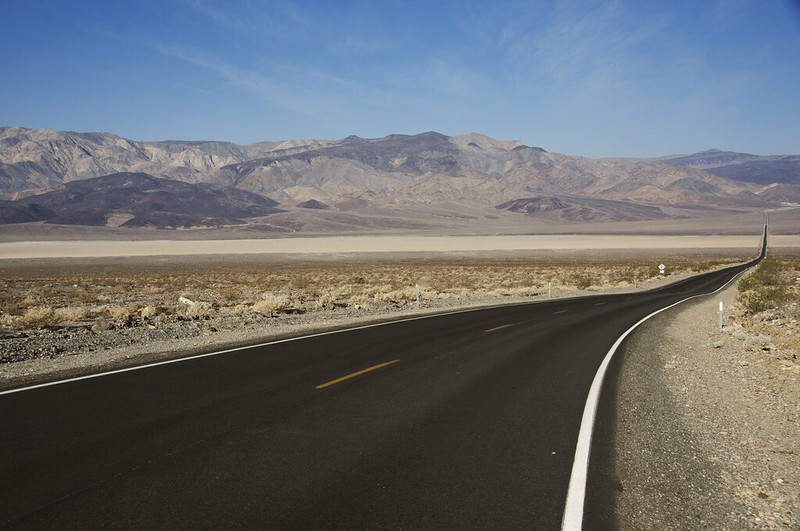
<point x="374" y="244"/>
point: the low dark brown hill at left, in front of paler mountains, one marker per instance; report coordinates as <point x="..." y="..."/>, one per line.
<point x="146" y="200"/>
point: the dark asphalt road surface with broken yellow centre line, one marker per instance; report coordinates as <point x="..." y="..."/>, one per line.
<point x="466" y="420"/>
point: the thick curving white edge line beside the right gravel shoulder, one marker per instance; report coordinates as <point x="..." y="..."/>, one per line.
<point x="576" y="492"/>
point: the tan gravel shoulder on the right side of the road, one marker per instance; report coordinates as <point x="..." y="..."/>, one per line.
<point x="708" y="423"/>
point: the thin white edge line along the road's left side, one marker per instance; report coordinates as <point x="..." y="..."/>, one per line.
<point x="236" y="349"/>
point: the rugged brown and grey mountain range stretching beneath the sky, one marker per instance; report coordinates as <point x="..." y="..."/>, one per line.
<point x="101" y="179"/>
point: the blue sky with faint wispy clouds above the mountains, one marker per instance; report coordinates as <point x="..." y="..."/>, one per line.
<point x="581" y="77"/>
